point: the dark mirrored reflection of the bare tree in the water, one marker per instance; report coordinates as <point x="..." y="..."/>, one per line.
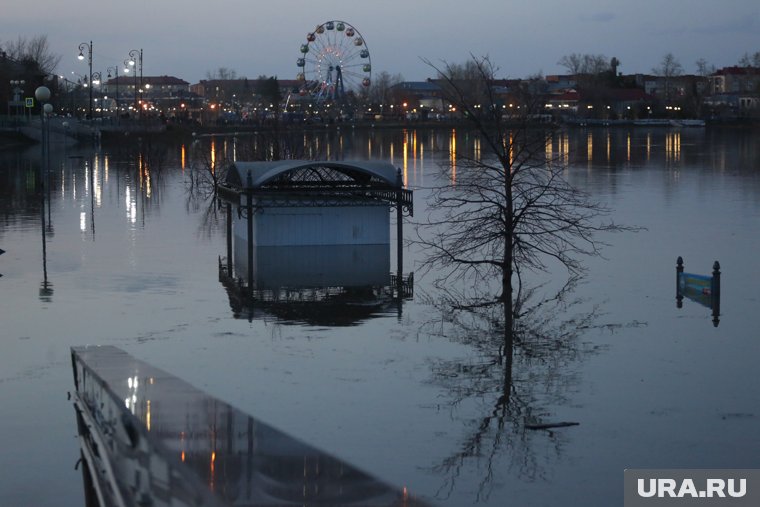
<point x="513" y="390"/>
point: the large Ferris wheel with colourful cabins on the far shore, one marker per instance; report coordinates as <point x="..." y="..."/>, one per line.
<point x="334" y="62"/>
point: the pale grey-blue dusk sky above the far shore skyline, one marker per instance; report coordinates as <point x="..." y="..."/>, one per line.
<point x="186" y="39"/>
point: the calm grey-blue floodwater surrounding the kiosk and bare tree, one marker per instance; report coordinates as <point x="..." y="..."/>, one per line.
<point x="119" y="250"/>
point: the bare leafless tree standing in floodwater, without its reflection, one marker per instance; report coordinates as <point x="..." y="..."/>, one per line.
<point x="509" y="209"/>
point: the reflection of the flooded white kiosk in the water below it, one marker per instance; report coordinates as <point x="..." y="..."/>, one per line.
<point x="338" y="285"/>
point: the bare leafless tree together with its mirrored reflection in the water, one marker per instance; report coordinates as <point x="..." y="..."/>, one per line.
<point x="501" y="214"/>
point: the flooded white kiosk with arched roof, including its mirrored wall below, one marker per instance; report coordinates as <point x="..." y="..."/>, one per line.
<point x="301" y="224"/>
